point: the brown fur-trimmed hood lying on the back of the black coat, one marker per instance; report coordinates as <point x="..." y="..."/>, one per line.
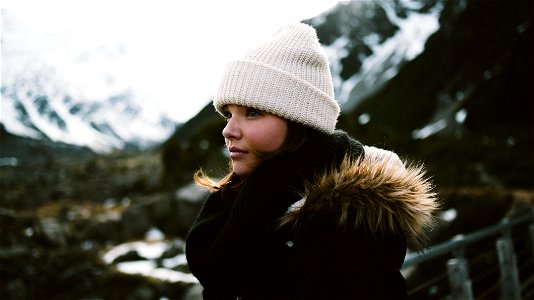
<point x="376" y="192"/>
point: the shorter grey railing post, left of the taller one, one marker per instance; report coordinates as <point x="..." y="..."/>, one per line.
<point x="459" y="279"/>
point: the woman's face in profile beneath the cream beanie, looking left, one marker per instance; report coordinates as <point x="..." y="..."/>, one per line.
<point x="251" y="136"/>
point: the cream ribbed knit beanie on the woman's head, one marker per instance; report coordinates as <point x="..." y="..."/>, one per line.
<point x="287" y="76"/>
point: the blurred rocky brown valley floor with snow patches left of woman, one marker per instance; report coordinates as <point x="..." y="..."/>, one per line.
<point x="75" y="228"/>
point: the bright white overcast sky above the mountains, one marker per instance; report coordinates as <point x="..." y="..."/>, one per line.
<point x="170" y="53"/>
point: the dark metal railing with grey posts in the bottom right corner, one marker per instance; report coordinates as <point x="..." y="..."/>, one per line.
<point x="501" y="265"/>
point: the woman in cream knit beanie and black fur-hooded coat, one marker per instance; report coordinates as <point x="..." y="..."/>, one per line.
<point x="306" y="212"/>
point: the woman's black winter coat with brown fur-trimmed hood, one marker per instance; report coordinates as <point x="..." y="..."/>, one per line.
<point x="330" y="221"/>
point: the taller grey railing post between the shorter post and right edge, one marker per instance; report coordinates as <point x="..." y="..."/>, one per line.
<point x="510" y="286"/>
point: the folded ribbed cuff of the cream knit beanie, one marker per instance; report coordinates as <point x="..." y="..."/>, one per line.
<point x="254" y="84"/>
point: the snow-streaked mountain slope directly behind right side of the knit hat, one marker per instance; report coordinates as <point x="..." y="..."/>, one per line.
<point x="369" y="41"/>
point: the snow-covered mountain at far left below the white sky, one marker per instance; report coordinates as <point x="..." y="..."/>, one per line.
<point x="41" y="100"/>
